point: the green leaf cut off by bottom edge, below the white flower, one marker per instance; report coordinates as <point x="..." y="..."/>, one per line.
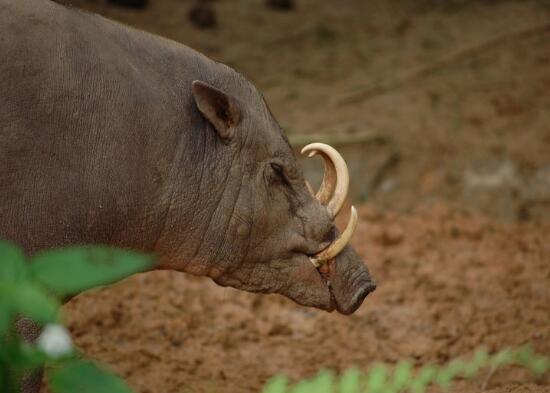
<point x="83" y="376"/>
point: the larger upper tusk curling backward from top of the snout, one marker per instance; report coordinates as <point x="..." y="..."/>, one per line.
<point x="334" y="189"/>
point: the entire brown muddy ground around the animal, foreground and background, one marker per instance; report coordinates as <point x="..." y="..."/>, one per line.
<point x="450" y="101"/>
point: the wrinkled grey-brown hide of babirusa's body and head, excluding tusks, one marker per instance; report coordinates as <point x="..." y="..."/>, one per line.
<point x="104" y="139"/>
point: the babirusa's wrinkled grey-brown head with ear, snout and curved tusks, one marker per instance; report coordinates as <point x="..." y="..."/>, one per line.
<point x="262" y="228"/>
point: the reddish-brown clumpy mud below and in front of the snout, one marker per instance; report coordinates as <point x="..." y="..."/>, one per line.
<point x="448" y="283"/>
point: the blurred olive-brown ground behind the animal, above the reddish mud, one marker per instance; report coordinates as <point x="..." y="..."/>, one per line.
<point x="427" y="99"/>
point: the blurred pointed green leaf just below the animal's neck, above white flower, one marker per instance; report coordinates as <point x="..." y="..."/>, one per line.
<point x="75" y="269"/>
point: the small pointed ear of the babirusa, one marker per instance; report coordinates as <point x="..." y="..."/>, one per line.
<point x="220" y="109"/>
